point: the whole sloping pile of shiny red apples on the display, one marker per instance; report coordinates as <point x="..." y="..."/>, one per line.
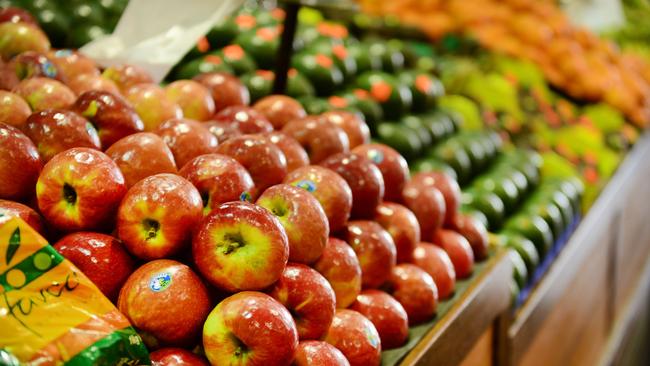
<point x="273" y="236"/>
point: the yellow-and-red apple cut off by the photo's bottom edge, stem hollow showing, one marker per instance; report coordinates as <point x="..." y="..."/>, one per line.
<point x="250" y="328"/>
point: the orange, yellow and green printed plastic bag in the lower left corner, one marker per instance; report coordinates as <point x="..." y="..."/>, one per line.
<point x="51" y="313"/>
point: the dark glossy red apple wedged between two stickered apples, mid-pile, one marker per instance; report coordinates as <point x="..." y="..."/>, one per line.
<point x="364" y="179"/>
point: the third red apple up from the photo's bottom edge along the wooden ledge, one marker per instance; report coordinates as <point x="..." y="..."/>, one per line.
<point x="386" y="314"/>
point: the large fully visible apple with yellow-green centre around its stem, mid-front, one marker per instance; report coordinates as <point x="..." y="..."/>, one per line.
<point x="240" y="246"/>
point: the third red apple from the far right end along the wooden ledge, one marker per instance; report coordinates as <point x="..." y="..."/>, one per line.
<point x="436" y="262"/>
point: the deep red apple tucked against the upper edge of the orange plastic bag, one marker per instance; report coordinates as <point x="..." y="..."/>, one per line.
<point x="102" y="258"/>
